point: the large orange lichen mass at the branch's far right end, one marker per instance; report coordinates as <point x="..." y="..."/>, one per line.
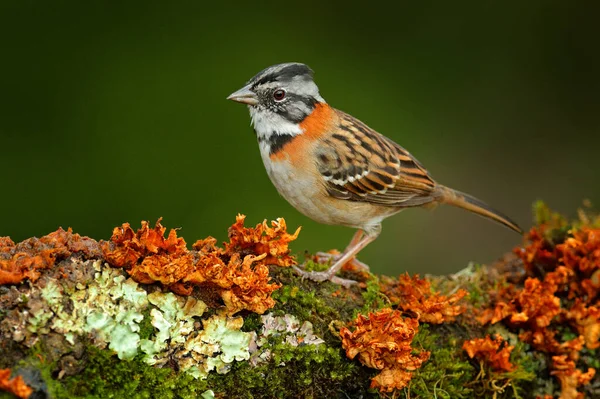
<point x="561" y="292"/>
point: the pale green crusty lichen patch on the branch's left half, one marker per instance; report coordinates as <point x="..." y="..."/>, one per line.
<point x="110" y="310"/>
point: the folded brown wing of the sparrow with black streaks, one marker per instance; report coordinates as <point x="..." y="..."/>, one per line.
<point x="359" y="164"/>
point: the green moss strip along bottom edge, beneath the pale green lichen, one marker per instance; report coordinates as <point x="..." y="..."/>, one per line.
<point x="318" y="372"/>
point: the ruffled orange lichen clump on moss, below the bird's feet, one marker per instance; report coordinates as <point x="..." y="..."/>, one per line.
<point x="383" y="341"/>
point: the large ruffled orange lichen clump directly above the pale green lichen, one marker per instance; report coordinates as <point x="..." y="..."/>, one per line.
<point x="239" y="272"/>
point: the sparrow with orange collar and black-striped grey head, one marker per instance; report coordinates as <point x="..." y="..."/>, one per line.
<point x="335" y="169"/>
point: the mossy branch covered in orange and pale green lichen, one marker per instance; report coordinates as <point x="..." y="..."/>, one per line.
<point x="77" y="326"/>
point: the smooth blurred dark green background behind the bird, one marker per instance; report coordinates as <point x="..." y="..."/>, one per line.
<point x="114" y="112"/>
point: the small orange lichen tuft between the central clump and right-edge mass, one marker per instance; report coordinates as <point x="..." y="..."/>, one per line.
<point x="494" y="353"/>
